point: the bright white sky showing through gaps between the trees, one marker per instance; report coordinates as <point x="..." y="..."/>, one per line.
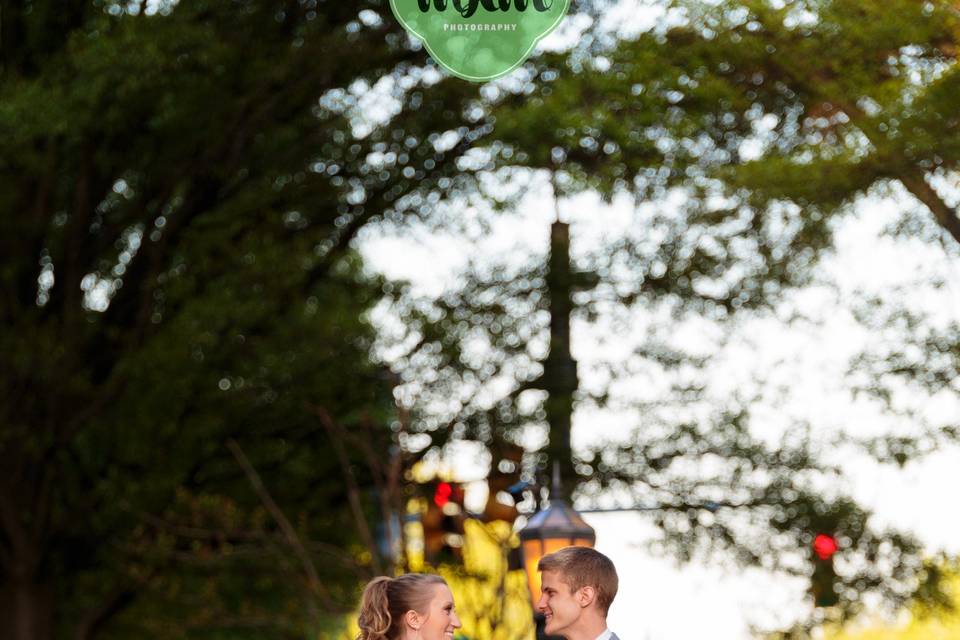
<point x="659" y="600"/>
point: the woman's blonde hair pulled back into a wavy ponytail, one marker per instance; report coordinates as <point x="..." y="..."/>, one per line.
<point x="385" y="601"/>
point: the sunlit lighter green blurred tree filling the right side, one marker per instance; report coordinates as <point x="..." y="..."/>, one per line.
<point x="745" y="133"/>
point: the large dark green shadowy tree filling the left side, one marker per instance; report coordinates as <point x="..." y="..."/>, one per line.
<point x="180" y="191"/>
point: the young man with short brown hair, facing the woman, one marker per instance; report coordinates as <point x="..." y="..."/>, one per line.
<point x="577" y="586"/>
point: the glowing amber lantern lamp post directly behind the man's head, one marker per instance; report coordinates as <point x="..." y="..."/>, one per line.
<point x="548" y="530"/>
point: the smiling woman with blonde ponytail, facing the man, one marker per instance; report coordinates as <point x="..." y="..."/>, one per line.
<point x="414" y="606"/>
